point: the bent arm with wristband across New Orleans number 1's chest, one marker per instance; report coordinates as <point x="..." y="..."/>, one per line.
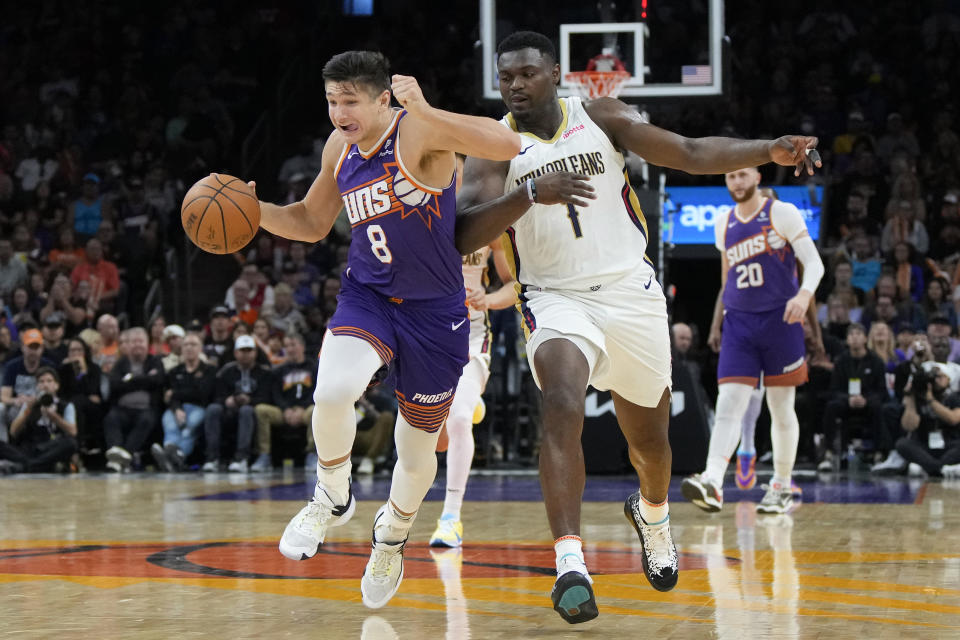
<point x="484" y="210"/>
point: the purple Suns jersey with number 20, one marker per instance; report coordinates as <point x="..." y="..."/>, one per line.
<point x="762" y="271"/>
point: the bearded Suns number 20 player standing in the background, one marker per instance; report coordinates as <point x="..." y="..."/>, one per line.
<point x="760" y="241"/>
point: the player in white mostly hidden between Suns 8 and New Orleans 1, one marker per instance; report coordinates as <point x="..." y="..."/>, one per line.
<point x="458" y="430"/>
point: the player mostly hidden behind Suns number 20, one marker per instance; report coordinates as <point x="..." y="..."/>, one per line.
<point x="746" y="472"/>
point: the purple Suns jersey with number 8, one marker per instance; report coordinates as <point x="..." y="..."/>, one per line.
<point x="402" y="242"/>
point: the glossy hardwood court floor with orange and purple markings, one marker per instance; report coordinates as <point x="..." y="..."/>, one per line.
<point x="191" y="556"/>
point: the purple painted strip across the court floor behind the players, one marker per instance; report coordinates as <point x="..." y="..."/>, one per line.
<point x="599" y="489"/>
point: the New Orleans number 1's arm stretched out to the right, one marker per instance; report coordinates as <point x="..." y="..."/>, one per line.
<point x="658" y="146"/>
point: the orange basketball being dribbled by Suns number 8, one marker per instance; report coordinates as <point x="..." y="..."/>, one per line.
<point x="220" y="213"/>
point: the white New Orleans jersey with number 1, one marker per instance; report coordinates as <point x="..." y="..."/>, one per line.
<point x="562" y="247"/>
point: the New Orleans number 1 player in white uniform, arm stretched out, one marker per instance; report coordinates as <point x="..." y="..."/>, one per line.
<point x="592" y="308"/>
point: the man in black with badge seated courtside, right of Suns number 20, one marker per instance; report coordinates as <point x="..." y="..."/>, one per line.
<point x="858" y="390"/>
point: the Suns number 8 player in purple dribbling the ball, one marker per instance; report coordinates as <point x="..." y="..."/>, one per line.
<point x="401" y="299"/>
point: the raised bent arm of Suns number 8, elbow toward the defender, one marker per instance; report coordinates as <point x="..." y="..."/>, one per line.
<point x="438" y="130"/>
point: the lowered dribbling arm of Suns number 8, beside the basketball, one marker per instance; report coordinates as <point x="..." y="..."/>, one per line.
<point x="310" y="219"/>
